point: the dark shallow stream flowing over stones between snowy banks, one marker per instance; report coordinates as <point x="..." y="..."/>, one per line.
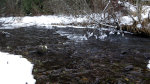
<point x="58" y="59"/>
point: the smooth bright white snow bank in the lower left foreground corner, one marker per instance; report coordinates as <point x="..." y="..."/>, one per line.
<point x="15" y="70"/>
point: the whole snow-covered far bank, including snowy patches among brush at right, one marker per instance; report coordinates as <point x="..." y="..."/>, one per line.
<point x="89" y="20"/>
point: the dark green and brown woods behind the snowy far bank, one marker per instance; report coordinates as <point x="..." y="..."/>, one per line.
<point x="38" y="7"/>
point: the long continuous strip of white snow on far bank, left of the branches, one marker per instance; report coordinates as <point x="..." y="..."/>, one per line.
<point x="48" y="21"/>
